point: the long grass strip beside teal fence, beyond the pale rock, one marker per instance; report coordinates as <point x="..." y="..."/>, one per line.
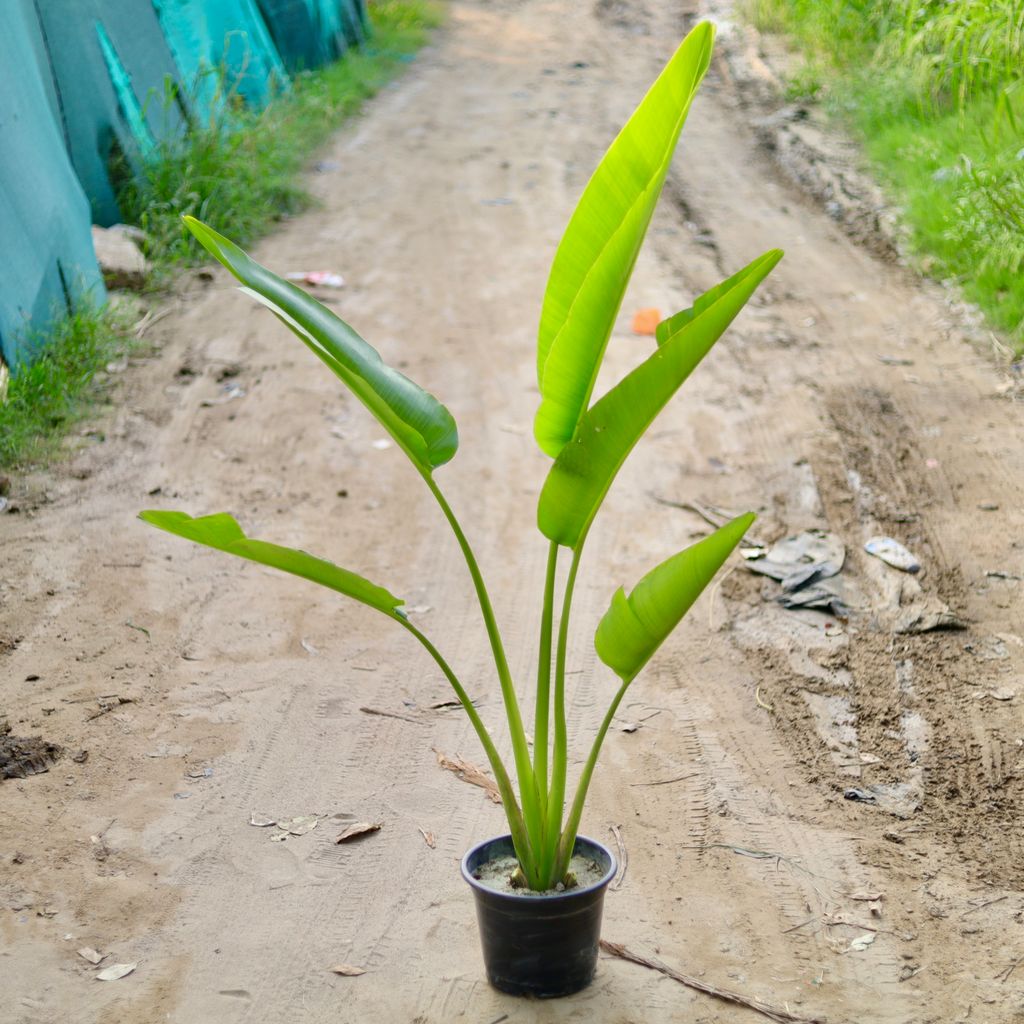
<point x="243" y="170"/>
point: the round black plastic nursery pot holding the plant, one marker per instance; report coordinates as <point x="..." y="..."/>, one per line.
<point x="539" y="946"/>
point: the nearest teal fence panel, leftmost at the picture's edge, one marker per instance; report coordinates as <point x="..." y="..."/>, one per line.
<point x="49" y="266"/>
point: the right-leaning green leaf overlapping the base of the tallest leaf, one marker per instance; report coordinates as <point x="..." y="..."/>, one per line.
<point x="608" y="433"/>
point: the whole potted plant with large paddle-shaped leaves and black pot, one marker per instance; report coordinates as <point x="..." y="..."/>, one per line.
<point x="541" y="934"/>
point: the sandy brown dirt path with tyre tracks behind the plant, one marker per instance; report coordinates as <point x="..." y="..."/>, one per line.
<point x="747" y="866"/>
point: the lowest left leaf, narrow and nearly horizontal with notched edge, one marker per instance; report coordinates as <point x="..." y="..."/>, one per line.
<point x="222" y="532"/>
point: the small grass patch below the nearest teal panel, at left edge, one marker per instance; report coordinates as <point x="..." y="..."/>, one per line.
<point x="63" y="386"/>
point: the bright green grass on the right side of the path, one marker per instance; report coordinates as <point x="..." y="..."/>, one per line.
<point x="935" y="91"/>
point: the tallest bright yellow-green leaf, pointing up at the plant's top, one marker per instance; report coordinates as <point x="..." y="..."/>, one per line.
<point x="595" y="259"/>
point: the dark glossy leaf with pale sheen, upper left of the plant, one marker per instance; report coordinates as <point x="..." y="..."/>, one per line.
<point x="418" y="422"/>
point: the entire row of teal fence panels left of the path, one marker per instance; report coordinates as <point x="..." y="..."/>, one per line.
<point x="88" y="91"/>
